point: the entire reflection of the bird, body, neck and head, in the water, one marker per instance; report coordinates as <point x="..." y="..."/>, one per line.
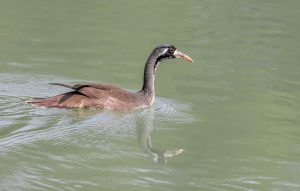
<point x="144" y="122"/>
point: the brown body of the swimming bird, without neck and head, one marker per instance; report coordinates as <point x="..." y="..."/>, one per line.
<point x="95" y="96"/>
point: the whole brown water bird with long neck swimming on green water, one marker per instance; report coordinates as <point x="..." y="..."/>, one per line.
<point x="111" y="97"/>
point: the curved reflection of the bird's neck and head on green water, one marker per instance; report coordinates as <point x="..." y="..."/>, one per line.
<point x="144" y="130"/>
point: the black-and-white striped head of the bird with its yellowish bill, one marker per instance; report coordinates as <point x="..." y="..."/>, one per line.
<point x="167" y="51"/>
